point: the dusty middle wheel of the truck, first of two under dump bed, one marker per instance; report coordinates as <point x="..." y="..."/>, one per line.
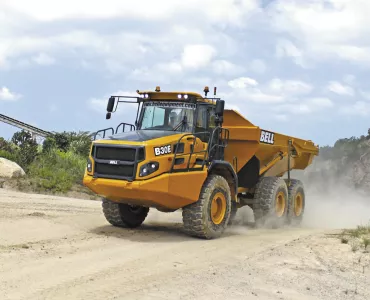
<point x="270" y="205"/>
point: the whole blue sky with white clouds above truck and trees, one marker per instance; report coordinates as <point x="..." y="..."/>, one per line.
<point x="295" y="67"/>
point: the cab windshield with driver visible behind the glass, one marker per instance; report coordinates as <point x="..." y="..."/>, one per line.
<point x="176" y="116"/>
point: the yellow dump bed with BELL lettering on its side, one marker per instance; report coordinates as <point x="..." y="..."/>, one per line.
<point x="247" y="140"/>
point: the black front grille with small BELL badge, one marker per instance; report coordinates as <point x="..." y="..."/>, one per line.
<point x="116" y="162"/>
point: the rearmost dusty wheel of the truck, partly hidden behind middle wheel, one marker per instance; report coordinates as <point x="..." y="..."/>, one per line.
<point x="296" y="203"/>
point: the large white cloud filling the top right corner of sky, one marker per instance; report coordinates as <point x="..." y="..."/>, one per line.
<point x="323" y="29"/>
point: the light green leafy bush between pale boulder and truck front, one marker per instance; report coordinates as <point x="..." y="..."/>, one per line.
<point x="57" y="171"/>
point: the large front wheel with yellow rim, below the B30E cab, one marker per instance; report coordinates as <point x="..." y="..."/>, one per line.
<point x="209" y="216"/>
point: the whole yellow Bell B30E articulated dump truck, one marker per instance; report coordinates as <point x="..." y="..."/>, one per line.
<point x="188" y="152"/>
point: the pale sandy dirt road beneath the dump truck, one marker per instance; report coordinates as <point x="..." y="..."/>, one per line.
<point x="60" y="248"/>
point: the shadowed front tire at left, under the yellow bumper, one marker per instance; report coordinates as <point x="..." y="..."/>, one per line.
<point x="124" y="215"/>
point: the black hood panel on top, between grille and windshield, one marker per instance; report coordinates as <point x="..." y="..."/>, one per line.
<point x="141" y="135"/>
